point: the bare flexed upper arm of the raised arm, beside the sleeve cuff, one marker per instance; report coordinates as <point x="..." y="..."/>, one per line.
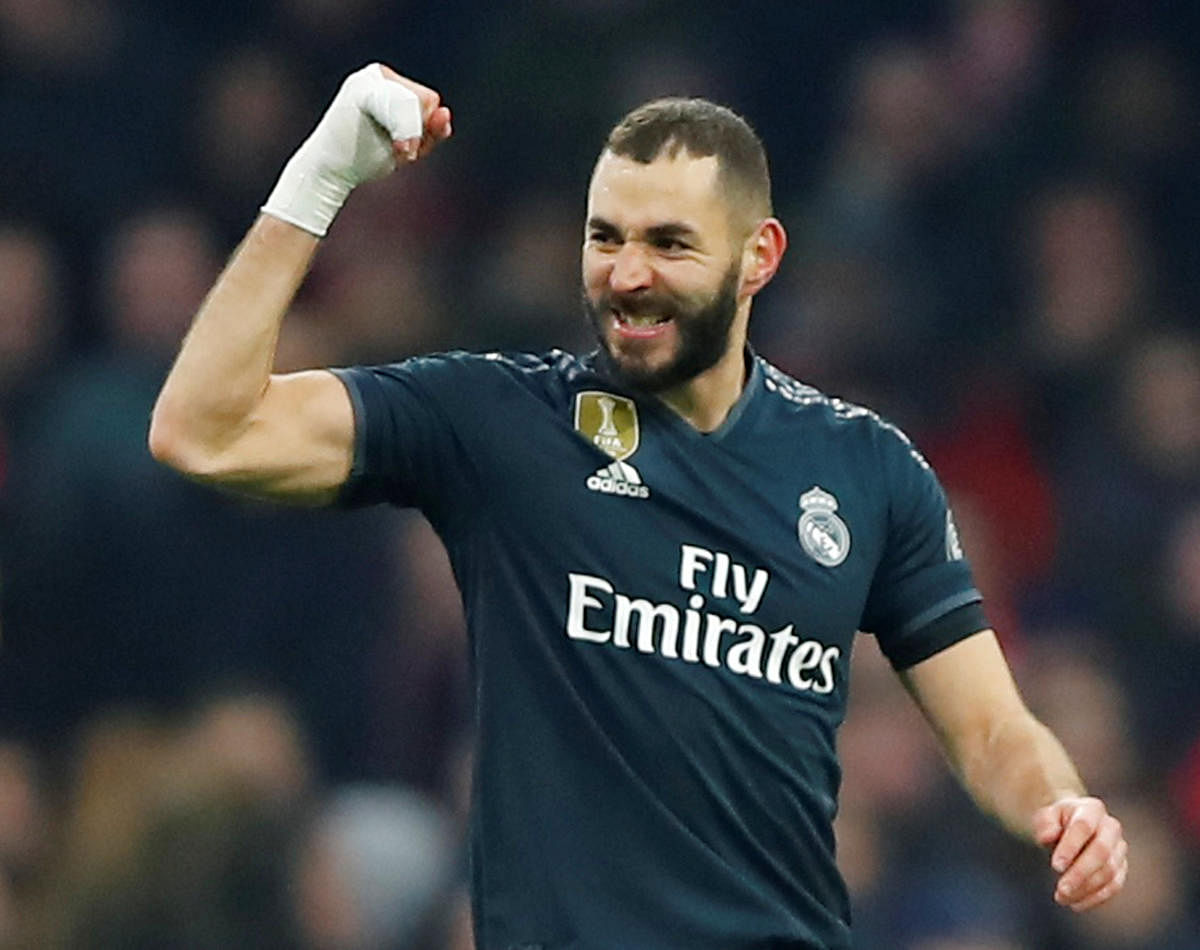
<point x="298" y="446"/>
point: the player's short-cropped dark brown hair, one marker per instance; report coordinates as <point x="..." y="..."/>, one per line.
<point x="703" y="129"/>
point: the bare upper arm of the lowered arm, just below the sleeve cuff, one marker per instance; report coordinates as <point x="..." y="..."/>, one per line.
<point x="967" y="694"/>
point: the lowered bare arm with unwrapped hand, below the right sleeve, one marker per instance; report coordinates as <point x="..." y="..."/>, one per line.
<point x="1016" y="769"/>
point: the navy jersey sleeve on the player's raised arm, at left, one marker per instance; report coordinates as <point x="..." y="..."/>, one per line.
<point x="409" y="447"/>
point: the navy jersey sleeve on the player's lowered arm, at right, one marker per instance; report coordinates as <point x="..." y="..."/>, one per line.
<point x="923" y="598"/>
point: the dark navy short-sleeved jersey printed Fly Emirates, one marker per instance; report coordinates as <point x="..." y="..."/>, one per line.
<point x="662" y="624"/>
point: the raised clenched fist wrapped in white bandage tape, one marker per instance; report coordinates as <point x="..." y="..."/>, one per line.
<point x="376" y="117"/>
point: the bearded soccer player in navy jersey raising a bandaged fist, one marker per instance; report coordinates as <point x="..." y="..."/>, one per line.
<point x="665" y="550"/>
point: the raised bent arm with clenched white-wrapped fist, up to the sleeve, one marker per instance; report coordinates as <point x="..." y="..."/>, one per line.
<point x="223" y="417"/>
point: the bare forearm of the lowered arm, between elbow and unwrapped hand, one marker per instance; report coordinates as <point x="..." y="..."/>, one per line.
<point x="1019" y="768"/>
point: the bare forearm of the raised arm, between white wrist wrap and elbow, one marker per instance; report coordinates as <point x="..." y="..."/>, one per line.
<point x="225" y="365"/>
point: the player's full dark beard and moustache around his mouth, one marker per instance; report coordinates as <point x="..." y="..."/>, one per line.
<point x="703" y="326"/>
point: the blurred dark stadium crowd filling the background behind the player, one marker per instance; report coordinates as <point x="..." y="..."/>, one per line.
<point x="230" y="726"/>
